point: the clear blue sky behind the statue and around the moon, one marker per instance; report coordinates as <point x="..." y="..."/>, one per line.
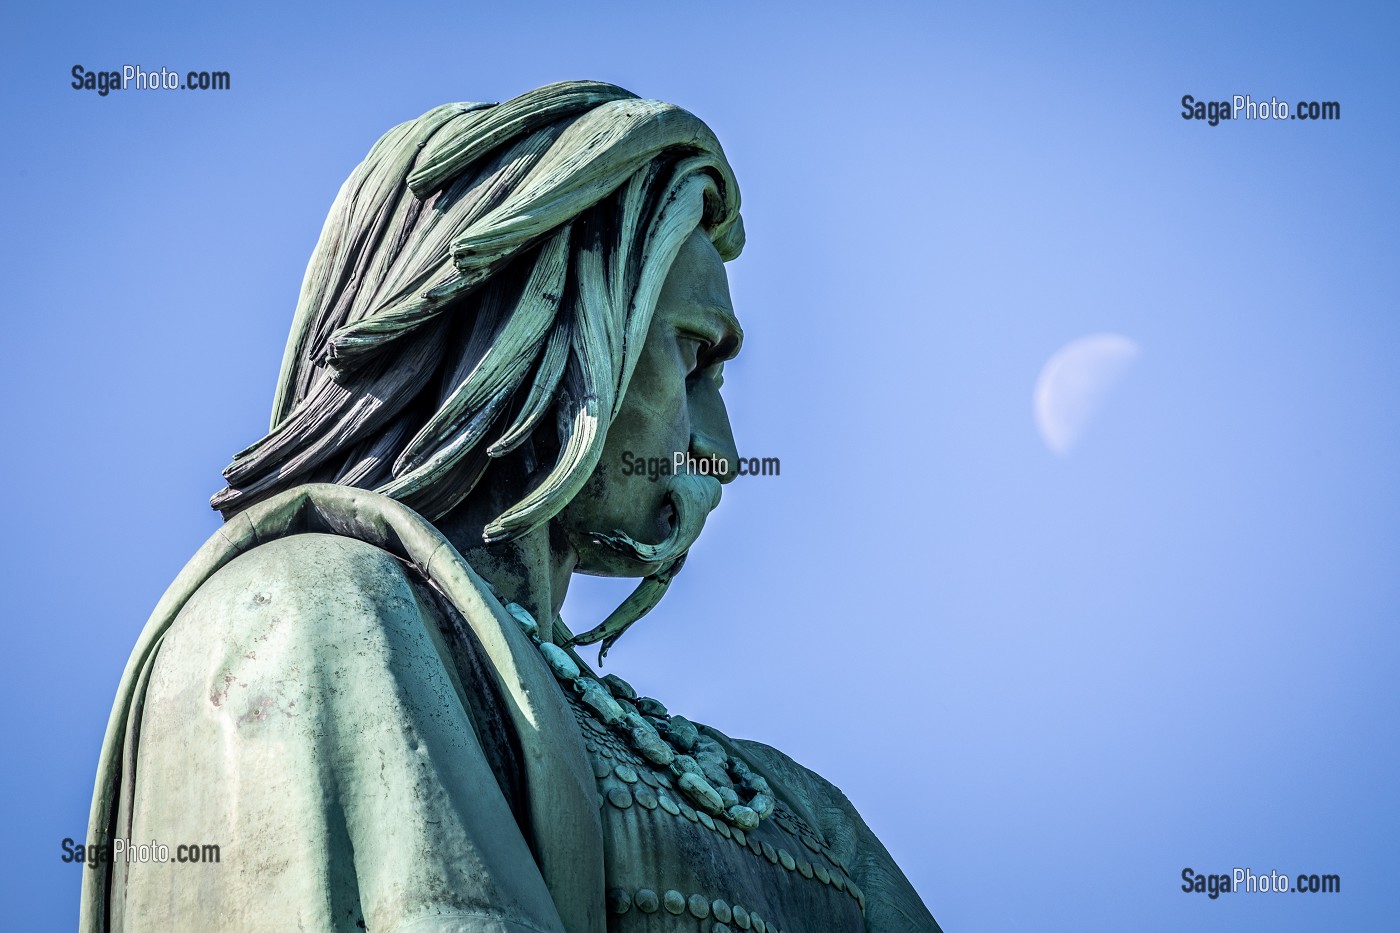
<point x="1048" y="683"/>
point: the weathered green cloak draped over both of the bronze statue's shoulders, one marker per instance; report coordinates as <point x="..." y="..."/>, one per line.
<point x="299" y="700"/>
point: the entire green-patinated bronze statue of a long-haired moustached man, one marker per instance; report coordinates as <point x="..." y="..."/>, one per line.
<point x="362" y="689"/>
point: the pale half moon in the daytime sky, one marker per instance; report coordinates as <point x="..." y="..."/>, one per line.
<point x="1074" y="385"/>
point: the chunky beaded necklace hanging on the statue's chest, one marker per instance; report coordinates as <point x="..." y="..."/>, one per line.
<point x="713" y="780"/>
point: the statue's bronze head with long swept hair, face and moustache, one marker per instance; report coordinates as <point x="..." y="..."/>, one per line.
<point x="479" y="307"/>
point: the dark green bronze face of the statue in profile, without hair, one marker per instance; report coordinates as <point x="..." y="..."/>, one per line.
<point x="673" y="407"/>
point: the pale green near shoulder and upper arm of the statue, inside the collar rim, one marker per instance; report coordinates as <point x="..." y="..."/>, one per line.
<point x="304" y="712"/>
